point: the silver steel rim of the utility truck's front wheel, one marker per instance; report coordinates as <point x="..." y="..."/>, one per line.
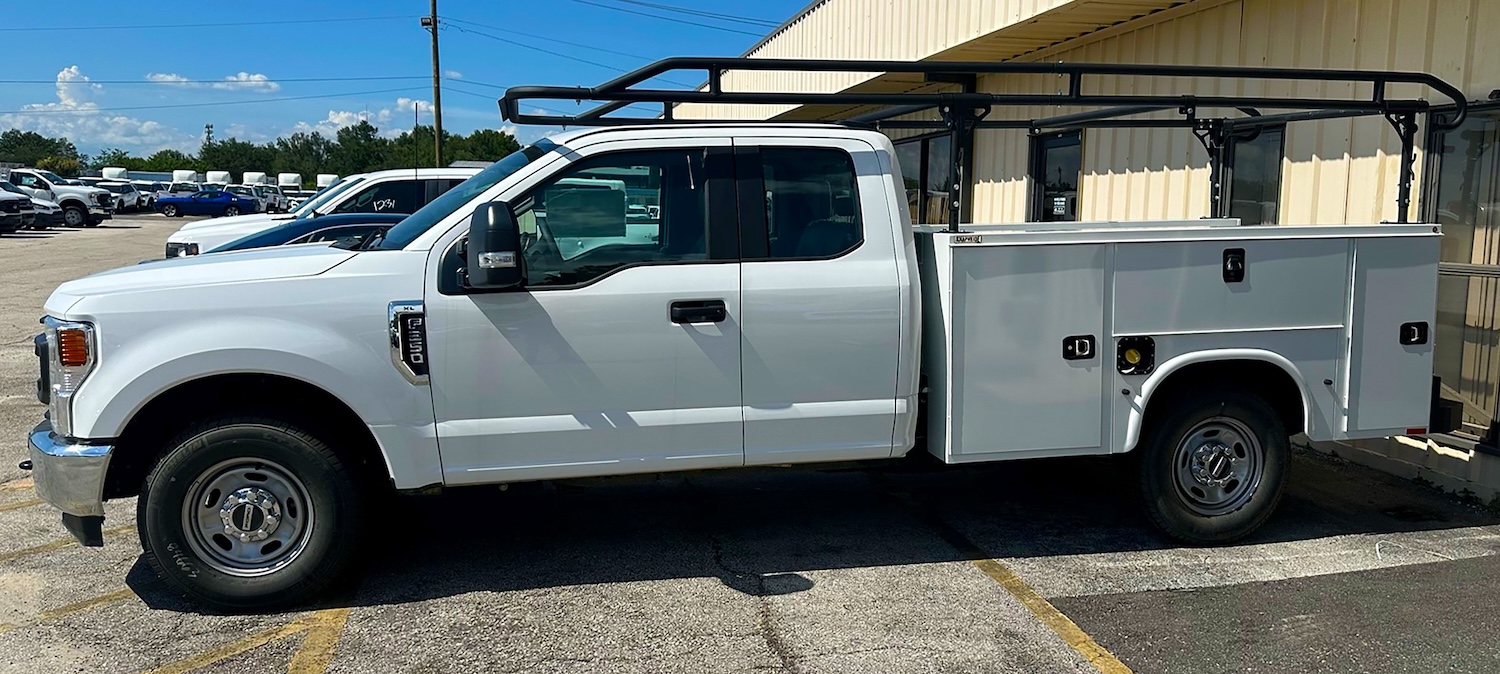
<point x="248" y="517"/>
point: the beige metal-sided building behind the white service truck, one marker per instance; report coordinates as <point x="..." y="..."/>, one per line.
<point x="1340" y="172"/>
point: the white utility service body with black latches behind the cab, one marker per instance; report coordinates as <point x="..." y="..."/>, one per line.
<point x="1322" y="304"/>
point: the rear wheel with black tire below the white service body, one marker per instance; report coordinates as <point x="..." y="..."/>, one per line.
<point x="1204" y="426"/>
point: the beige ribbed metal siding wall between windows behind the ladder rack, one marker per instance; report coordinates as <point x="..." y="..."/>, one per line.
<point x="1336" y="172"/>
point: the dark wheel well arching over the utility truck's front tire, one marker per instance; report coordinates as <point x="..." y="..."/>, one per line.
<point x="299" y="403"/>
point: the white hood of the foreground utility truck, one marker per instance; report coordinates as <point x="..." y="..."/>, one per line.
<point x="230" y="268"/>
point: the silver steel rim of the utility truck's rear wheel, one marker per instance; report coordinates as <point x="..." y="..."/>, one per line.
<point x="1219" y="466"/>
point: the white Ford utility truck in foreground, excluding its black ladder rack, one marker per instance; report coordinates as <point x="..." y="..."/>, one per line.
<point x="755" y="295"/>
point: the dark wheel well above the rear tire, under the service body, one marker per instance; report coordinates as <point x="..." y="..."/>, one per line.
<point x="1256" y="378"/>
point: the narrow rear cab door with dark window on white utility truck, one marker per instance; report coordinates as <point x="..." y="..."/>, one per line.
<point x="820" y="301"/>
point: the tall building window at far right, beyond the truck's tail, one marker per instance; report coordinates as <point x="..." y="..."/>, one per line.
<point x="1463" y="196"/>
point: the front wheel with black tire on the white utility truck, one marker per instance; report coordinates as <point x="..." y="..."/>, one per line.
<point x="179" y="546"/>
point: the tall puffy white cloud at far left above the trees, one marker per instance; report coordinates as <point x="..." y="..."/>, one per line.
<point x="80" y="119"/>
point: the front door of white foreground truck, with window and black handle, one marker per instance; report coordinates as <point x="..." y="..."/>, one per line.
<point x="622" y="355"/>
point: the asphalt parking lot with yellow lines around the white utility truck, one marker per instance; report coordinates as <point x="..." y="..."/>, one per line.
<point x="895" y="568"/>
